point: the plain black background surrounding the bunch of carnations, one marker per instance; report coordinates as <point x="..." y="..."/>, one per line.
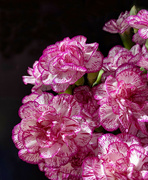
<point x="26" y="28"/>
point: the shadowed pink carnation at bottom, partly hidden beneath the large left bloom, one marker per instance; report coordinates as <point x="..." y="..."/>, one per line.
<point x="73" y="169"/>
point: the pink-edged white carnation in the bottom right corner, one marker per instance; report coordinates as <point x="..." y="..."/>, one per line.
<point x="120" y="157"/>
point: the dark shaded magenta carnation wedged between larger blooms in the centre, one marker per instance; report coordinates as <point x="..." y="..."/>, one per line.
<point x="84" y="95"/>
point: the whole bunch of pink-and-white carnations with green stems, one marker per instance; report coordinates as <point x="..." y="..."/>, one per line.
<point x="95" y="126"/>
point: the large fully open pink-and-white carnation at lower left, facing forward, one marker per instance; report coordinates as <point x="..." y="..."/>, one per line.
<point x="51" y="129"/>
